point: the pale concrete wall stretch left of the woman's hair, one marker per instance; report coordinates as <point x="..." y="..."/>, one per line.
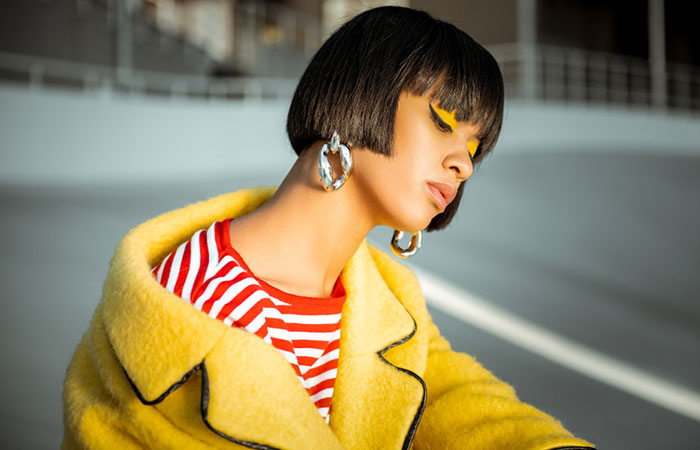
<point x="64" y="137"/>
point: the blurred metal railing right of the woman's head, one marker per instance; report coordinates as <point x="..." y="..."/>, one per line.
<point x="568" y="75"/>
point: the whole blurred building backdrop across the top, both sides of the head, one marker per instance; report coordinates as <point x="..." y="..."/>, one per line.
<point x="639" y="54"/>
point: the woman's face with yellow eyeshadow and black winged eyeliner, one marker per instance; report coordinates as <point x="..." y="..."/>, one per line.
<point x="431" y="157"/>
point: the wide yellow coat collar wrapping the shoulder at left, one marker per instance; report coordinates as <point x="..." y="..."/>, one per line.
<point x="150" y="329"/>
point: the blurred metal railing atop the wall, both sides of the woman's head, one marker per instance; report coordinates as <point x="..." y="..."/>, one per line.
<point x="555" y="75"/>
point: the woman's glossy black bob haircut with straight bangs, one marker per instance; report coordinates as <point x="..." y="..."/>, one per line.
<point x="354" y="81"/>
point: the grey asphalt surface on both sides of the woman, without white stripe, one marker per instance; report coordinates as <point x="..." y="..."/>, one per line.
<point x="600" y="248"/>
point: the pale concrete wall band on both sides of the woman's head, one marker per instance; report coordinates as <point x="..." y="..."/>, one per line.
<point x="55" y="137"/>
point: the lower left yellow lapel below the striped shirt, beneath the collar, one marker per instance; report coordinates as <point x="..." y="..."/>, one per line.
<point x="251" y="396"/>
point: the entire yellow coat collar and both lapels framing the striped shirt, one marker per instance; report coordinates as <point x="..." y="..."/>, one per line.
<point x="249" y="393"/>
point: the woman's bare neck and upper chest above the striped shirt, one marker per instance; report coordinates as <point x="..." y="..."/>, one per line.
<point x="300" y="240"/>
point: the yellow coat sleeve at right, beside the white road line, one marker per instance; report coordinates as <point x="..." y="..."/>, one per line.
<point x="467" y="407"/>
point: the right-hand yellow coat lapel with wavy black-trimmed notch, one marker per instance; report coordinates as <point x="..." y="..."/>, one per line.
<point x="376" y="404"/>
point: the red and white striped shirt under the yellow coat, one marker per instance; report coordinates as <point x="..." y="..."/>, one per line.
<point x="212" y="276"/>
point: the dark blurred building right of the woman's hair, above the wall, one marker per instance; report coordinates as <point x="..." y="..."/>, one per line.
<point x="638" y="54"/>
